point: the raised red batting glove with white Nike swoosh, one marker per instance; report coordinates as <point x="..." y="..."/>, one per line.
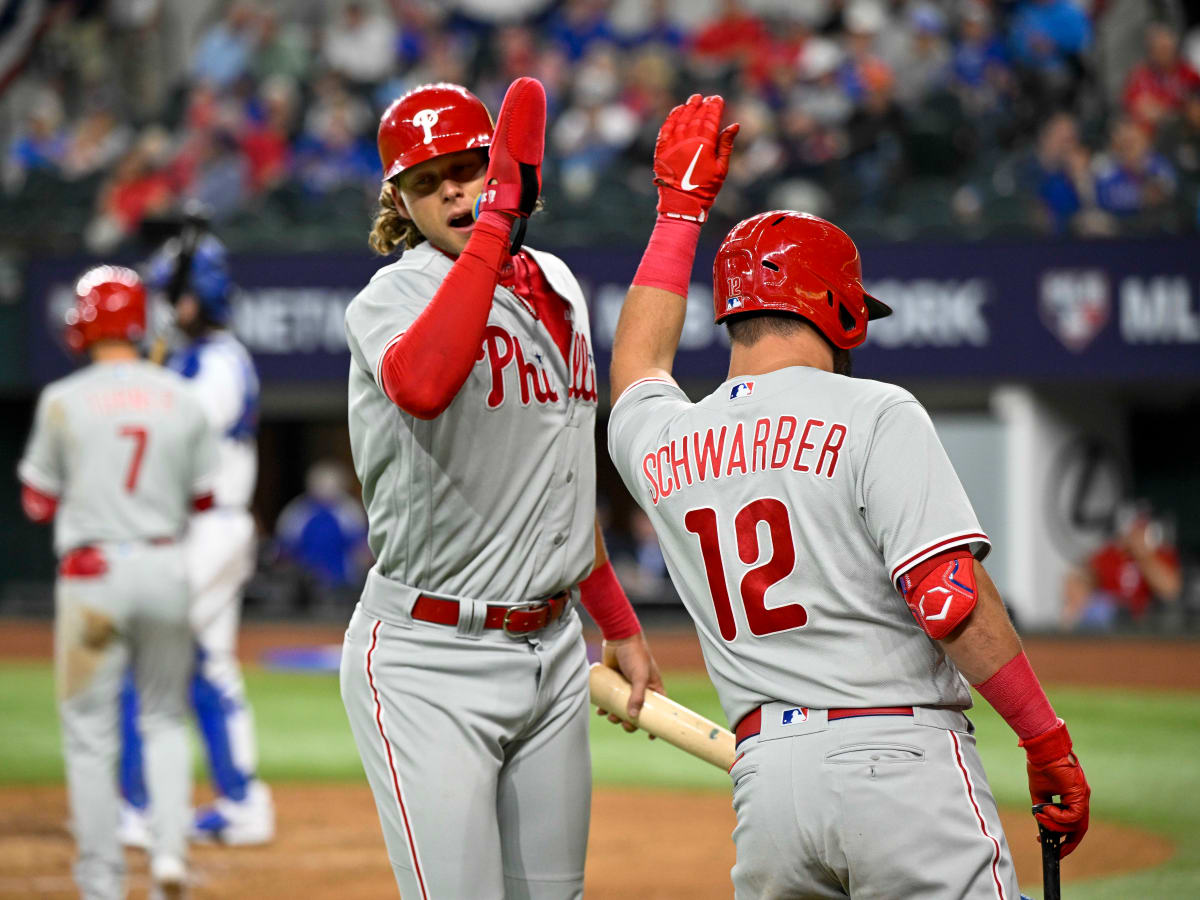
<point x="692" y="158"/>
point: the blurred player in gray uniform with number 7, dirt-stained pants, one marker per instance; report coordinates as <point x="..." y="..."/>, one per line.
<point x="119" y="457"/>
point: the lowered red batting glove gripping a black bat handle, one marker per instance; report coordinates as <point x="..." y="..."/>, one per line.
<point x="1054" y="770"/>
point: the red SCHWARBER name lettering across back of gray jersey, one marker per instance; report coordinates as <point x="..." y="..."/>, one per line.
<point x="771" y="443"/>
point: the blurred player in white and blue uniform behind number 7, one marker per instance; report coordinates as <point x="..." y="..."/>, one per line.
<point x="220" y="550"/>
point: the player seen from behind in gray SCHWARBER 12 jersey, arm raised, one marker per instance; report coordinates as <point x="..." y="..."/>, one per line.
<point x="823" y="543"/>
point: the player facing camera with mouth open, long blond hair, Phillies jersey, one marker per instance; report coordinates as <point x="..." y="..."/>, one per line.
<point x="472" y="407"/>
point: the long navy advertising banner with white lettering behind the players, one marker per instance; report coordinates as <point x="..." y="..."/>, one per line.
<point x="1035" y="311"/>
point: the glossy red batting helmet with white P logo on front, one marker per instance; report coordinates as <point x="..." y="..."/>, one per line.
<point x="431" y="121"/>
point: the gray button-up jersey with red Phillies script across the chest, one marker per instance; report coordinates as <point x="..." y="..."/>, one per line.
<point x="442" y="518"/>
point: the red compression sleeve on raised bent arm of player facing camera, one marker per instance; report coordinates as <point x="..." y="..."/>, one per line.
<point x="423" y="371"/>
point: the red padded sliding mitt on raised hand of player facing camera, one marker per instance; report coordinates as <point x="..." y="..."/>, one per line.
<point x="519" y="142"/>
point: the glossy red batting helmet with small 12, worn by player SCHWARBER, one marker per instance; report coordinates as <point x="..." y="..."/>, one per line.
<point x="793" y="262"/>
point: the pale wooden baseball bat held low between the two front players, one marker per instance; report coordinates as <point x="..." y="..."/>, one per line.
<point x="663" y="718"/>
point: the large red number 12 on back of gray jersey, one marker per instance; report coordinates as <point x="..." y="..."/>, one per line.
<point x="704" y="524"/>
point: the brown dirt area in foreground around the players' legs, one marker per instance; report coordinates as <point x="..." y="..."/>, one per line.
<point x="655" y="845"/>
